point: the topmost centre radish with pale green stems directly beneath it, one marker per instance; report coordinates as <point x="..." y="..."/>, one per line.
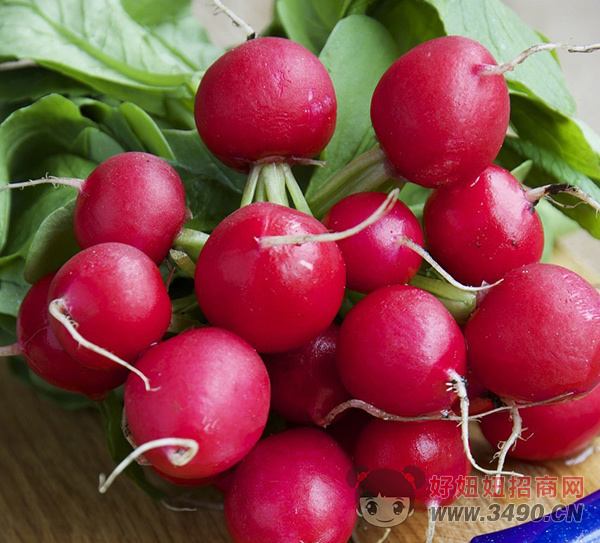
<point x="267" y="99"/>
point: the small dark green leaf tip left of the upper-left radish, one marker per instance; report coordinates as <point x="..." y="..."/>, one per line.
<point x="53" y="244"/>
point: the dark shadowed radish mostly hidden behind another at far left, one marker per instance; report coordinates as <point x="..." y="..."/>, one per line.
<point x="46" y="357"/>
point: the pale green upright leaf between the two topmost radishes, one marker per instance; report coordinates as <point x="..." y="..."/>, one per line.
<point x="355" y="67"/>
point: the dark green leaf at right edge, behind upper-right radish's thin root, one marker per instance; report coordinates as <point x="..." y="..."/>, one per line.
<point x="549" y="168"/>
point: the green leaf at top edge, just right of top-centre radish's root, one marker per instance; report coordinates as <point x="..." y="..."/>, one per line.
<point x="309" y="22"/>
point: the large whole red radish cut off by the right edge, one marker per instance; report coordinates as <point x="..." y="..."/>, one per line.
<point x="536" y="335"/>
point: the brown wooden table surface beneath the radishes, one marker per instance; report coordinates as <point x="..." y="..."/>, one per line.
<point x="50" y="460"/>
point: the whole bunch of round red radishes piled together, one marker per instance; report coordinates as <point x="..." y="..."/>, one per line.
<point x="280" y="329"/>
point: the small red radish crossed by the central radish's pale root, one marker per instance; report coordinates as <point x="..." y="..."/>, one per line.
<point x="373" y="257"/>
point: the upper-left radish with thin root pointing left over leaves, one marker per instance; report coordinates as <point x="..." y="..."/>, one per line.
<point x="132" y="198"/>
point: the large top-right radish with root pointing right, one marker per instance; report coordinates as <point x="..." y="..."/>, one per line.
<point x="437" y="118"/>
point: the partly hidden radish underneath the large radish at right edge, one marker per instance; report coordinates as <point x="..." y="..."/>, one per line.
<point x="549" y="431"/>
